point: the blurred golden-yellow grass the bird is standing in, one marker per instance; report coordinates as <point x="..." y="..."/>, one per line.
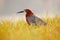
<point x="20" y="30"/>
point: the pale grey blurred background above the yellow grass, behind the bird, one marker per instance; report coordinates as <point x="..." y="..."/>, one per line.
<point x="41" y="8"/>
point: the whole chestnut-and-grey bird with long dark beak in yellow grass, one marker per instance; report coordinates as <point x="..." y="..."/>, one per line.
<point x="31" y="18"/>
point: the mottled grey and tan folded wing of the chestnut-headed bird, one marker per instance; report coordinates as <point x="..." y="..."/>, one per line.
<point x="35" y="20"/>
